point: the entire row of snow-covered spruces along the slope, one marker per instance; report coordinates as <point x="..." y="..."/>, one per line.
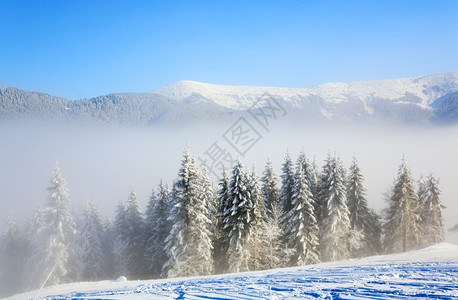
<point x="247" y="223"/>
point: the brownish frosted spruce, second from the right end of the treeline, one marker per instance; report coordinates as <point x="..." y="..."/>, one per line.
<point x="402" y="231"/>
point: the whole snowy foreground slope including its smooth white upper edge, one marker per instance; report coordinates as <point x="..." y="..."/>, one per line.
<point x="427" y="272"/>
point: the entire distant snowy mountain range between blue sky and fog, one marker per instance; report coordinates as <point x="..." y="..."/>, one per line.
<point x="430" y="99"/>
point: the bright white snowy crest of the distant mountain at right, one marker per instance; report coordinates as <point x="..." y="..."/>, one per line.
<point x="425" y="88"/>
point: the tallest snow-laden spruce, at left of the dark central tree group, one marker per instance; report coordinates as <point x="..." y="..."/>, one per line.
<point x="189" y="244"/>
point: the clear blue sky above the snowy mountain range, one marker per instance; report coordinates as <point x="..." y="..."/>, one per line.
<point x="78" y="49"/>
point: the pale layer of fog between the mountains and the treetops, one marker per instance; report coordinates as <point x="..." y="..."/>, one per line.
<point x="102" y="164"/>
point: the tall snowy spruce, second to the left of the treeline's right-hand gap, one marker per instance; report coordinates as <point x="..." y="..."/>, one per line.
<point x="335" y="226"/>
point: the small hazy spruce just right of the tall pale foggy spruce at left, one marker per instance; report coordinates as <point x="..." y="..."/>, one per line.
<point x="89" y="250"/>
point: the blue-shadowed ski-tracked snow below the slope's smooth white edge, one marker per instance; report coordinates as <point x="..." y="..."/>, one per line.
<point x="438" y="280"/>
